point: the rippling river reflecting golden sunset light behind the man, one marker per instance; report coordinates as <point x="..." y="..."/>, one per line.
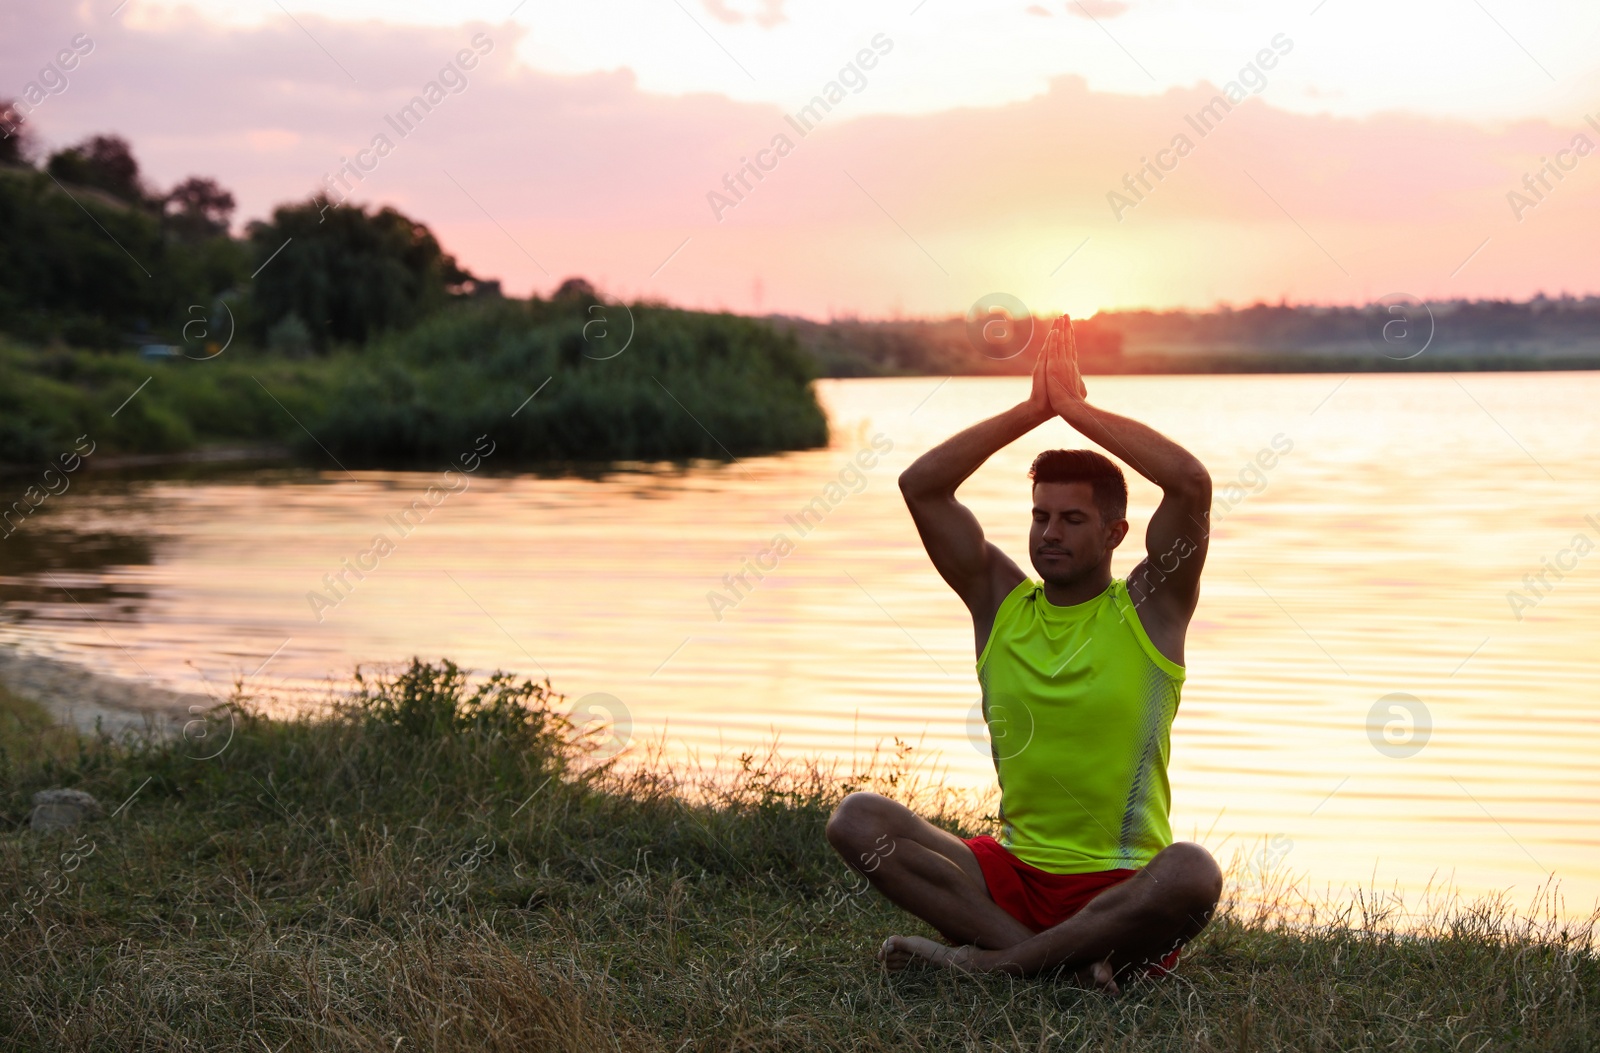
<point x="1382" y="691"/>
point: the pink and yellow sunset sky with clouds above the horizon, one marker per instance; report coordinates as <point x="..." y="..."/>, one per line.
<point x="975" y="156"/>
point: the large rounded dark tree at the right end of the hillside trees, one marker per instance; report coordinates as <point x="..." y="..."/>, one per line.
<point x="348" y="274"/>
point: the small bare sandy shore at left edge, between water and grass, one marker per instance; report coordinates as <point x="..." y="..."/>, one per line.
<point x="79" y="695"/>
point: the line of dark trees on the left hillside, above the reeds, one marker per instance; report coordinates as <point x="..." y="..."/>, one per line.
<point x="94" y="255"/>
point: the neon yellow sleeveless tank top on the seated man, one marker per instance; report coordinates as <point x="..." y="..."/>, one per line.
<point x="1079" y="707"/>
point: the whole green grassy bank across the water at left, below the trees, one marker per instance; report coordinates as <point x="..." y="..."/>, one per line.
<point x="687" y="386"/>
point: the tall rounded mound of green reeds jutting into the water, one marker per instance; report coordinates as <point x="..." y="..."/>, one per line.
<point x="687" y="385"/>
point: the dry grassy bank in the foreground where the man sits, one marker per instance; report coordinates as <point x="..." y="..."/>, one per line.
<point x="442" y="865"/>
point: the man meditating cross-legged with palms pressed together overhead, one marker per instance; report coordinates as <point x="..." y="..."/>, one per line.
<point x="1081" y="676"/>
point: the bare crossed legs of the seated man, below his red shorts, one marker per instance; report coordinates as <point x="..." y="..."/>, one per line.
<point x="935" y="876"/>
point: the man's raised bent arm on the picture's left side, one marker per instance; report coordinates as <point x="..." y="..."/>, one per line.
<point x="975" y="569"/>
